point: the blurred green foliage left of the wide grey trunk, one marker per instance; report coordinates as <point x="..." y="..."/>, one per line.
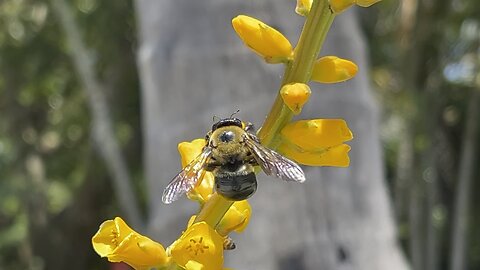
<point x="47" y="160"/>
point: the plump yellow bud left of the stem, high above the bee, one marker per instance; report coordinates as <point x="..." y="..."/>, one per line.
<point x="263" y="39"/>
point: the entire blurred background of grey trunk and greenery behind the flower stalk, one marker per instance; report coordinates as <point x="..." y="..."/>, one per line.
<point x="95" y="95"/>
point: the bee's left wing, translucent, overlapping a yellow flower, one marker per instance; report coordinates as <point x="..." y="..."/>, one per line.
<point x="187" y="178"/>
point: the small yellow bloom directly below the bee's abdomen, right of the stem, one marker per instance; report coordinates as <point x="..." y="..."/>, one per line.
<point x="236" y="219"/>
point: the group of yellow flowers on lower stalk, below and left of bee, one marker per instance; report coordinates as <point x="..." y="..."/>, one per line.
<point x="199" y="247"/>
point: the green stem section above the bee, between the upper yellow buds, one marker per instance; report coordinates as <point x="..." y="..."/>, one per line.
<point x="313" y="35"/>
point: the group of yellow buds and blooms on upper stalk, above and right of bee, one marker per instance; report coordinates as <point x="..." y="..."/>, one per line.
<point x="317" y="142"/>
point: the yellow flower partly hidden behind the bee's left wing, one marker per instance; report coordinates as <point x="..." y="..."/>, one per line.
<point x="188" y="152"/>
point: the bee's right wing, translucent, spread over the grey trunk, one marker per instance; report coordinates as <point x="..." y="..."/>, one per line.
<point x="273" y="163"/>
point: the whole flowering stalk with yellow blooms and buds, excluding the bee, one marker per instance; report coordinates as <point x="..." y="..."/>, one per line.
<point x="315" y="142"/>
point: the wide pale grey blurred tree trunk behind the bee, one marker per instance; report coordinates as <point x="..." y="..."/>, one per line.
<point x="192" y="67"/>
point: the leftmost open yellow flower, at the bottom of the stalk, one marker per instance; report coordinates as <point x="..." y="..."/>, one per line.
<point x="119" y="243"/>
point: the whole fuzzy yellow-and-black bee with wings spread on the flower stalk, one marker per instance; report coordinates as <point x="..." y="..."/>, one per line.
<point x="231" y="154"/>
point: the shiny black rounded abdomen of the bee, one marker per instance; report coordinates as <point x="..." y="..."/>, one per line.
<point x="235" y="182"/>
